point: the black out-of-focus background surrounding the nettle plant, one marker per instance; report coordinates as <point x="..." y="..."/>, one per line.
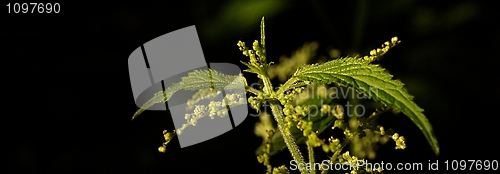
<point x="67" y="98"/>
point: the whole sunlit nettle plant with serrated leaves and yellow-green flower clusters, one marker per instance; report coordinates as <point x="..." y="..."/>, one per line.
<point x="306" y="112"/>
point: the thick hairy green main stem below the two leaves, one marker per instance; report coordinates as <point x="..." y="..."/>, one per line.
<point x="287" y="136"/>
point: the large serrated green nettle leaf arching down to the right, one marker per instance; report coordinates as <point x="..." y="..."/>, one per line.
<point x="371" y="80"/>
